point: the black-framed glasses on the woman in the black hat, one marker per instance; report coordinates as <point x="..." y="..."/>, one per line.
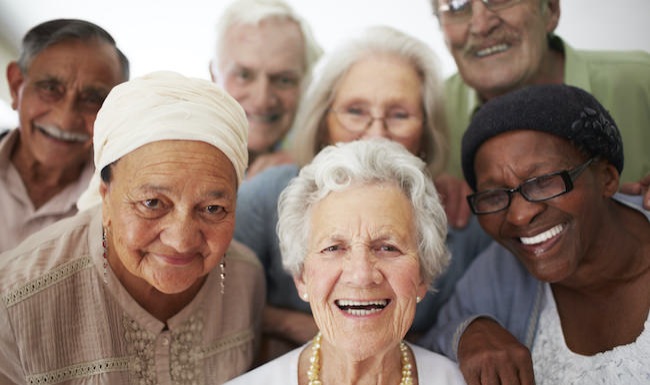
<point x="538" y="189"/>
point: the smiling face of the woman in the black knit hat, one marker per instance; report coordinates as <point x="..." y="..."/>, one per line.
<point x="551" y="238"/>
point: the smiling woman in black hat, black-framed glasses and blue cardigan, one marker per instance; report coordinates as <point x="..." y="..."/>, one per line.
<point x="563" y="297"/>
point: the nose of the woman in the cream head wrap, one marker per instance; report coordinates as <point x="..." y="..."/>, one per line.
<point x="182" y="232"/>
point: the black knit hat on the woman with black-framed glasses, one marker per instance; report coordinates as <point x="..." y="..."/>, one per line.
<point x="562" y="110"/>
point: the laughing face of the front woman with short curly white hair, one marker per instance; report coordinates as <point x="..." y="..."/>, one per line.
<point x="362" y="271"/>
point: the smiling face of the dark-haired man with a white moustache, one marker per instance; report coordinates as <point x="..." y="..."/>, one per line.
<point x="57" y="100"/>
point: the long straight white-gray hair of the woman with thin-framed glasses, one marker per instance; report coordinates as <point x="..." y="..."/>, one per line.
<point x="310" y="124"/>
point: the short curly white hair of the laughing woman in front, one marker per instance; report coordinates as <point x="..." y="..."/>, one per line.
<point x="373" y="161"/>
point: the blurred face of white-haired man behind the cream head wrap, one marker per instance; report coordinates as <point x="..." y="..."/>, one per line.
<point x="262" y="66"/>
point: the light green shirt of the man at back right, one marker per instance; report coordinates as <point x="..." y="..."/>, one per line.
<point x="619" y="80"/>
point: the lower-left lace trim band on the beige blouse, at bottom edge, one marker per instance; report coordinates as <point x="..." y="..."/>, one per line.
<point x="80" y="371"/>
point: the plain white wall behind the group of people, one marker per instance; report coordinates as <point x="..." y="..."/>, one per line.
<point x="178" y="35"/>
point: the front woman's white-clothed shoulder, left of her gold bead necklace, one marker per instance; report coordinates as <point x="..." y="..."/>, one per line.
<point x="281" y="371"/>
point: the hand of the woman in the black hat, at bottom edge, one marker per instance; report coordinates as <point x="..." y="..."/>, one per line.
<point x="489" y="355"/>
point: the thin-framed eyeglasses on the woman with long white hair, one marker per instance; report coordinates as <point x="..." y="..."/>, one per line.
<point x="358" y="120"/>
